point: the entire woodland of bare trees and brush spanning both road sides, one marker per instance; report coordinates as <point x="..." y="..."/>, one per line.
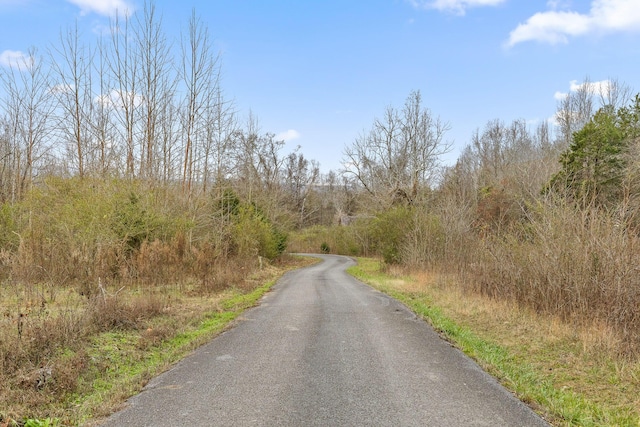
<point x="126" y="169"/>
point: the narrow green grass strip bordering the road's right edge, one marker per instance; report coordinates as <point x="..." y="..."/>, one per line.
<point x="560" y="406"/>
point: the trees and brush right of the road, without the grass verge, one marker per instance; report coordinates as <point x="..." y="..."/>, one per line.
<point x="545" y="216"/>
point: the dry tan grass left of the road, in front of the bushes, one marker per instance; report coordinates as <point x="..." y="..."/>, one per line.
<point x="51" y="351"/>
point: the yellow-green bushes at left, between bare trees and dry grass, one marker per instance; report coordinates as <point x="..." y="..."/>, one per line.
<point x="72" y="231"/>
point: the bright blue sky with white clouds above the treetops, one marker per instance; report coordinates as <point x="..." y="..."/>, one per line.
<point x="317" y="73"/>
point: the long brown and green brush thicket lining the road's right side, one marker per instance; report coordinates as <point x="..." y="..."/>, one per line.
<point x="581" y="265"/>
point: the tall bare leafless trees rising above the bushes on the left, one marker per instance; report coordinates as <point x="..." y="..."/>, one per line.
<point x="136" y="104"/>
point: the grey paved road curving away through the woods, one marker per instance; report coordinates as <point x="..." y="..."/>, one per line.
<point x="323" y="349"/>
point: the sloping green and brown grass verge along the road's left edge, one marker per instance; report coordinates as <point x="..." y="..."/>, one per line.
<point x="118" y="363"/>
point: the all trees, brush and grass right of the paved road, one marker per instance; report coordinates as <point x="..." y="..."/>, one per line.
<point x="544" y="230"/>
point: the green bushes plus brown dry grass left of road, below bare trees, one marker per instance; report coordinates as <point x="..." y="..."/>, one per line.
<point x="79" y="257"/>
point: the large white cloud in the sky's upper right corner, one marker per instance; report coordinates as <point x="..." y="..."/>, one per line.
<point x="555" y="27"/>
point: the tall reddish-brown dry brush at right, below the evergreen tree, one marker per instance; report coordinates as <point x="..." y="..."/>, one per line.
<point x="580" y="264"/>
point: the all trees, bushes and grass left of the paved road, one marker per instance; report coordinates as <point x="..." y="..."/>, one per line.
<point x="138" y="215"/>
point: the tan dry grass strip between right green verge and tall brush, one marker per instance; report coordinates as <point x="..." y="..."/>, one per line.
<point x="582" y="357"/>
